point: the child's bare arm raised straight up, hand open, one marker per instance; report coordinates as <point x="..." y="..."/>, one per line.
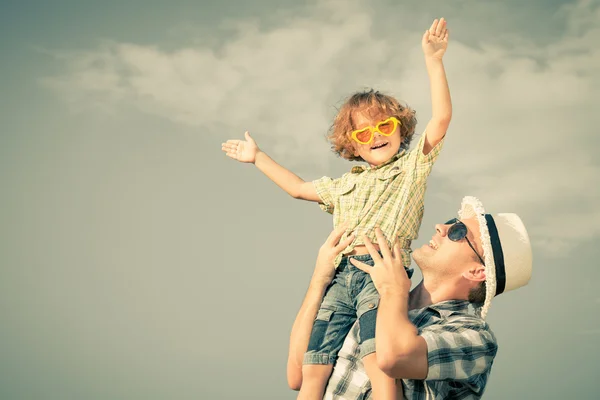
<point x="434" y="43"/>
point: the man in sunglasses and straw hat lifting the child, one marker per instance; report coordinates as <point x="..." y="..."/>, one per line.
<point x="427" y="339"/>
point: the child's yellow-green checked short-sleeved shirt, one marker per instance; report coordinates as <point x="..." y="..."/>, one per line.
<point x="390" y="196"/>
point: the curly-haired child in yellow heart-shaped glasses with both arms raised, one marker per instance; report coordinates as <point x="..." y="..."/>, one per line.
<point x="388" y="194"/>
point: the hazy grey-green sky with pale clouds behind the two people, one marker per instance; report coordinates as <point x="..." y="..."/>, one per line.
<point x="138" y="261"/>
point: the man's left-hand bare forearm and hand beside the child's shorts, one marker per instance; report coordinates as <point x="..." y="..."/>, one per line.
<point x="302" y="328"/>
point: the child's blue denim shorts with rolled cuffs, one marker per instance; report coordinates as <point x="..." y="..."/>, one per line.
<point x="350" y="296"/>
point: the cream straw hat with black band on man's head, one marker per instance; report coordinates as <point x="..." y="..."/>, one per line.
<point x="506" y="249"/>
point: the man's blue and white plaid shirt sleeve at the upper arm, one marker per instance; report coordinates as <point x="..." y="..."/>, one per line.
<point x="459" y="352"/>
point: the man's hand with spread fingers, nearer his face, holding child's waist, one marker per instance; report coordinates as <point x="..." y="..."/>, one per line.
<point x="388" y="273"/>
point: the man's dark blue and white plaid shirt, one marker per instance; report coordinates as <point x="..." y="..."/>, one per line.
<point x="460" y="352"/>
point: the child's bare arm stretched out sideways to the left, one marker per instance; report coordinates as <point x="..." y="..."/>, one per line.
<point x="248" y="152"/>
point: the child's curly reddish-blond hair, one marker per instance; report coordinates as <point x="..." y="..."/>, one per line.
<point x="376" y="103"/>
